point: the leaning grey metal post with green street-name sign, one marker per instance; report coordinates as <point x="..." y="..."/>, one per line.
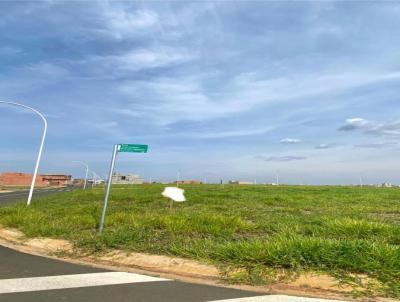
<point x="117" y="148"/>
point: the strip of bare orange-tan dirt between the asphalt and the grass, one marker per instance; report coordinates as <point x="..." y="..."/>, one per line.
<point x="308" y="284"/>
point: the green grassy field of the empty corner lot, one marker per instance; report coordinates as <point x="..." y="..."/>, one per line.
<point x="253" y="233"/>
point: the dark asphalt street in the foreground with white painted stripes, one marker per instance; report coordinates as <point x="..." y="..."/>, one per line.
<point x="31" y="278"/>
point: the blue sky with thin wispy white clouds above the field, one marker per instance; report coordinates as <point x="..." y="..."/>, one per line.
<point x="232" y="90"/>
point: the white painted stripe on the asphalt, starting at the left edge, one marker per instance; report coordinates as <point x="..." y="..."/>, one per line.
<point x="71" y="281"/>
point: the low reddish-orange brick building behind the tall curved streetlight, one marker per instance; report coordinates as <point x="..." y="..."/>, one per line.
<point x="25" y="179"/>
